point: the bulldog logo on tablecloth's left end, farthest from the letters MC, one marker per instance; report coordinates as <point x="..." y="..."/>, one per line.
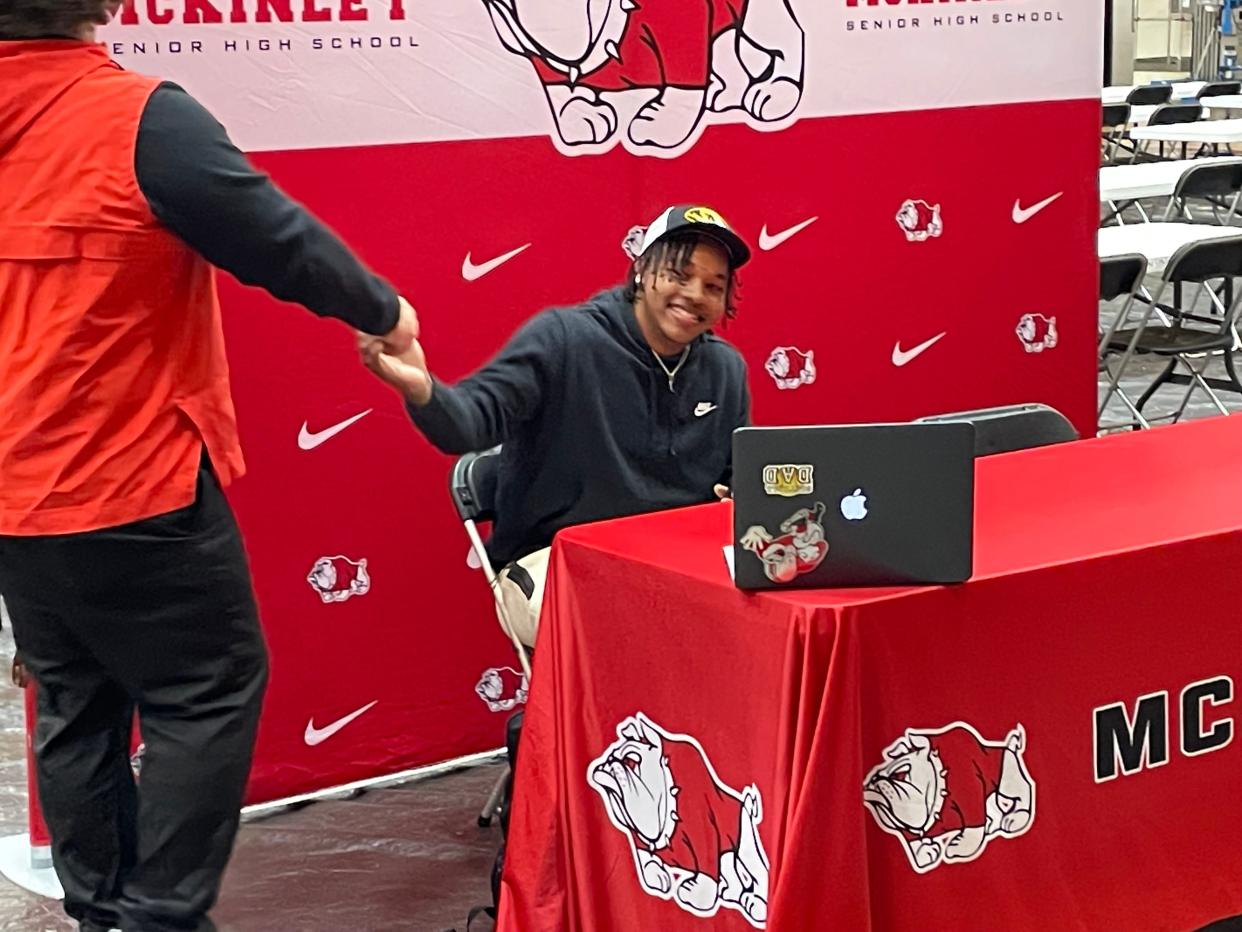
<point x="694" y="838"/>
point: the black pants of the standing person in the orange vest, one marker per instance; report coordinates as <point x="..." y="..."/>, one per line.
<point x="157" y="616"/>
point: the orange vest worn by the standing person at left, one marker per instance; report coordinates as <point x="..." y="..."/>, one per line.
<point x="112" y="357"/>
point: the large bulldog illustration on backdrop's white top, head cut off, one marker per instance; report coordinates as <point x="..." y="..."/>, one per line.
<point x="682" y="58"/>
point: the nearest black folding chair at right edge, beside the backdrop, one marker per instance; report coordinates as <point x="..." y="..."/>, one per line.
<point x="1190" y="336"/>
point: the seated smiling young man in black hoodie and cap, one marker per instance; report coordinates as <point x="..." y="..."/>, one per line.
<point x="622" y="406"/>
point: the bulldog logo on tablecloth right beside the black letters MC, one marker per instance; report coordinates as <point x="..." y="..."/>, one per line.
<point x="947" y="793"/>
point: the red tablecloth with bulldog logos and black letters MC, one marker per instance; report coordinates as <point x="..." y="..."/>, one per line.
<point x="1107" y="571"/>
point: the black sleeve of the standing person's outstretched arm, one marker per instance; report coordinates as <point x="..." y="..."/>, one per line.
<point x="208" y="193"/>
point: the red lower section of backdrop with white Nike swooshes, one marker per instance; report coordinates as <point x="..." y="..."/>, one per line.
<point x="843" y="294"/>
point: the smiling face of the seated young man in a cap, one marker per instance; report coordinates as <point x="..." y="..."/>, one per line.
<point x="684" y="295"/>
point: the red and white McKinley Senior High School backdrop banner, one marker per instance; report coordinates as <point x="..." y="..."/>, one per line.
<point x="918" y="181"/>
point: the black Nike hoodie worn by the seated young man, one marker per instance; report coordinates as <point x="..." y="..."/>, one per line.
<point x="591" y="426"/>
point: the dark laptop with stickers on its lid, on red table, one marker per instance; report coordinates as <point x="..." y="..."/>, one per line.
<point x="853" y="505"/>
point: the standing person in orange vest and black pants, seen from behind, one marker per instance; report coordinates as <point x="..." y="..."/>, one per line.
<point x="121" y="562"/>
